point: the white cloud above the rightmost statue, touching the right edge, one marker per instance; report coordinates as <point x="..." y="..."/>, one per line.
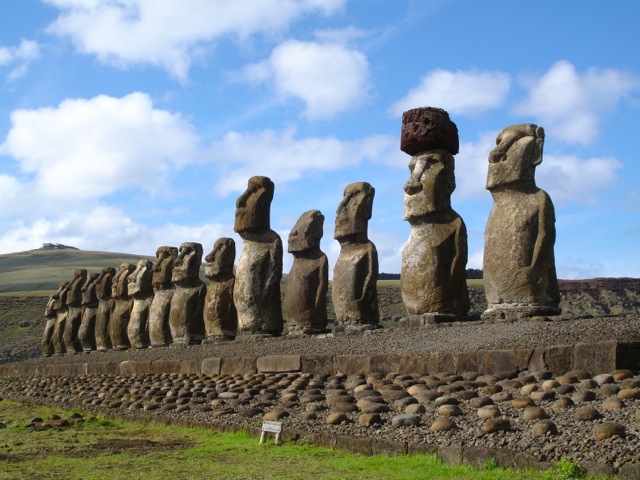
<point x="570" y="104"/>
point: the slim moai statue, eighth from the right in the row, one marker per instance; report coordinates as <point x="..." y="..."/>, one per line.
<point x="163" y="290"/>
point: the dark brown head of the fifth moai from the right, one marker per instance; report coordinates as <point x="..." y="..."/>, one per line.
<point x="253" y="207"/>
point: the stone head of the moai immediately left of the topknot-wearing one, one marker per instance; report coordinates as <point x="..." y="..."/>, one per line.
<point x="354" y="211"/>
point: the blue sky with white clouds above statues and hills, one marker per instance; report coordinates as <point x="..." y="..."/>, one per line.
<point x="130" y="124"/>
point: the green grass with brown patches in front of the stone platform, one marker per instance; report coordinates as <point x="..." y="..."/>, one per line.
<point x="96" y="448"/>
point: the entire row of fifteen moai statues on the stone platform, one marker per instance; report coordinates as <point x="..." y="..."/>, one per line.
<point x="167" y="303"/>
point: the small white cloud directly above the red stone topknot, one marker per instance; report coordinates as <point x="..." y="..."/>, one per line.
<point x="460" y="93"/>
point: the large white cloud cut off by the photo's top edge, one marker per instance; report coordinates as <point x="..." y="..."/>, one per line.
<point x="170" y="34"/>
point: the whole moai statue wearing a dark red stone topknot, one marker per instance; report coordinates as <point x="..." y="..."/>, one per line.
<point x="434" y="260"/>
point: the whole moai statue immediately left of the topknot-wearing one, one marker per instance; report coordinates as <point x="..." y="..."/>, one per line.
<point x="354" y="289"/>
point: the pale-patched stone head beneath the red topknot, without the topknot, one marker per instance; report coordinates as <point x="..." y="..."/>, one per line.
<point x="430" y="185"/>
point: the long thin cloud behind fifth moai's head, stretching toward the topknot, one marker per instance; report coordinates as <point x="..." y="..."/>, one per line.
<point x="284" y="158"/>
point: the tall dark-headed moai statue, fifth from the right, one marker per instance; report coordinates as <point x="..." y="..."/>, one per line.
<point x="256" y="293"/>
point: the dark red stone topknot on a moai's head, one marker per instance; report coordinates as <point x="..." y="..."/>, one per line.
<point x="428" y="128"/>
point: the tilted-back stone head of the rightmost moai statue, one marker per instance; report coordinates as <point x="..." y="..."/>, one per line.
<point x="514" y="160"/>
